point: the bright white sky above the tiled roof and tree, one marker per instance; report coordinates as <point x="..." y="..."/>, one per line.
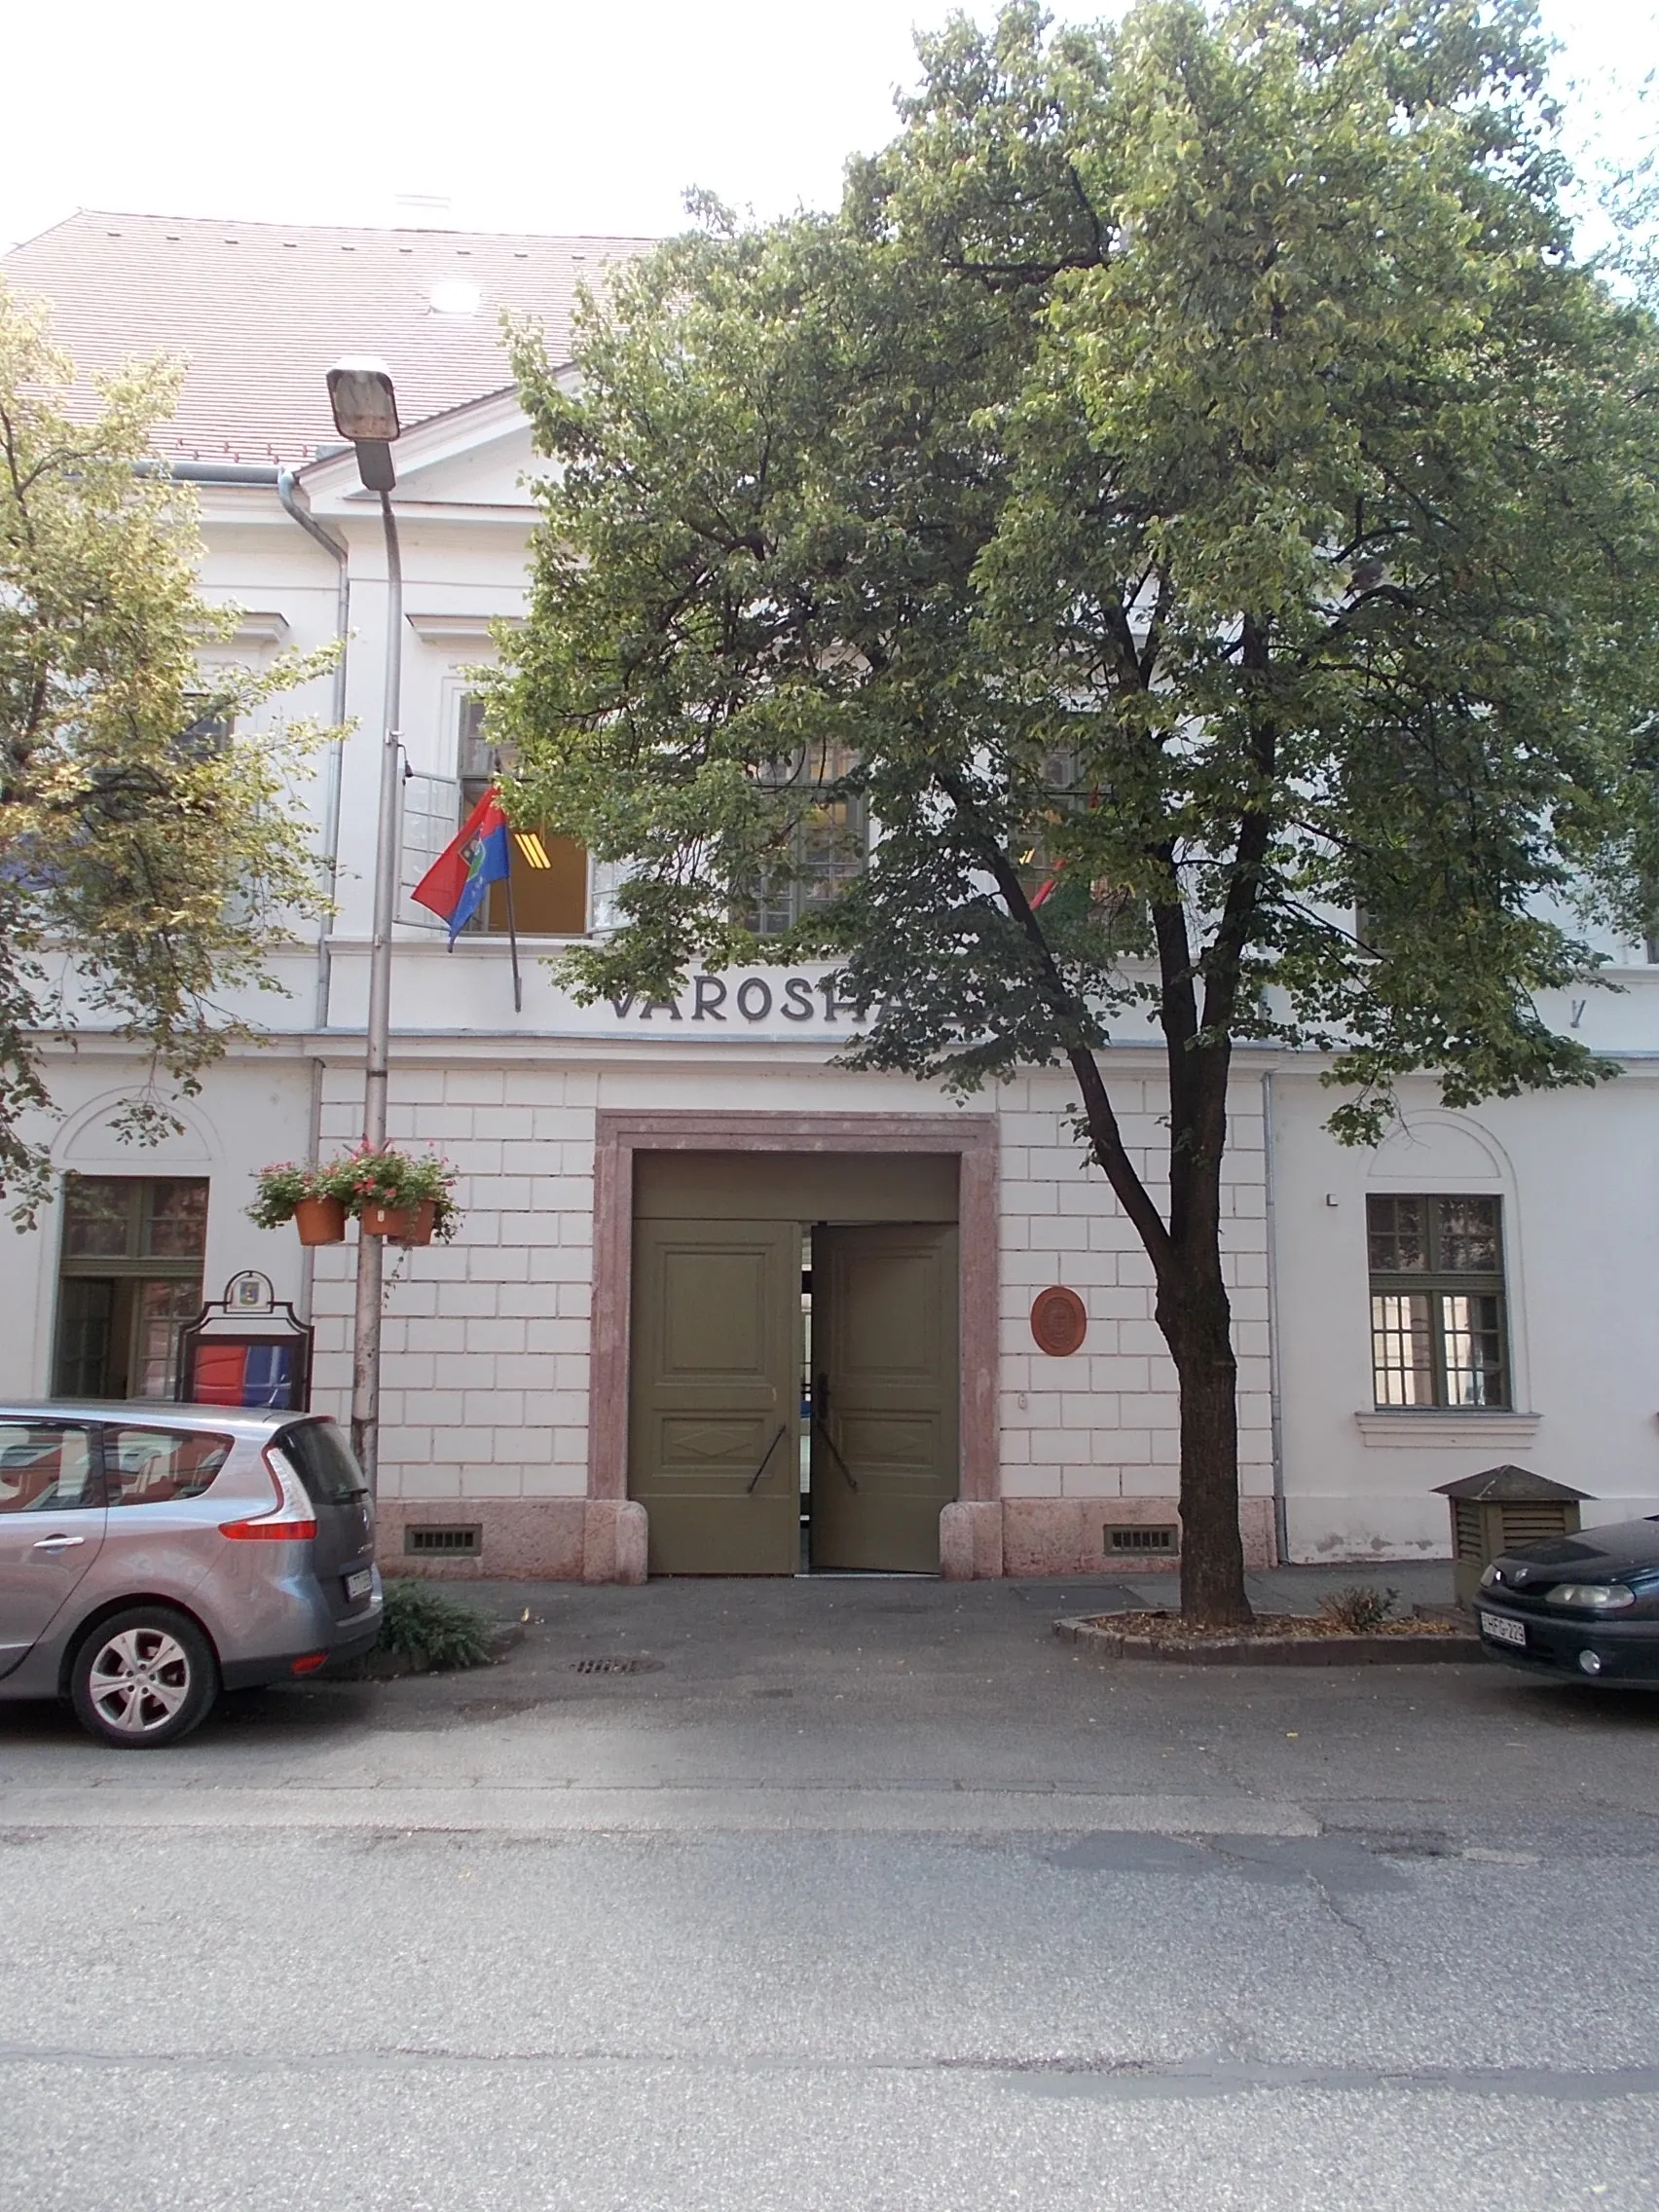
<point x="523" y="114"/>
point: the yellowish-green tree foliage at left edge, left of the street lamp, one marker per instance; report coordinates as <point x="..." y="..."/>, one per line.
<point x="149" y="855"/>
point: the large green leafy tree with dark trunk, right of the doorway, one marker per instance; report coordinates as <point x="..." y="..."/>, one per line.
<point x="1193" y="501"/>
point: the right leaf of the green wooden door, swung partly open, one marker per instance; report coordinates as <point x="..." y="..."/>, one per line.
<point x="886" y="1399"/>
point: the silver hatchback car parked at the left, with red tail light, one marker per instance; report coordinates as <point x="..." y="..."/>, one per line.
<point x="154" y="1556"/>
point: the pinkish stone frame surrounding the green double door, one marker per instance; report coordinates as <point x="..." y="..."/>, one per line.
<point x="972" y="1138"/>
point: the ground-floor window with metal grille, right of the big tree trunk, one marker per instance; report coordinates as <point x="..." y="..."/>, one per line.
<point x="1439" y="1326"/>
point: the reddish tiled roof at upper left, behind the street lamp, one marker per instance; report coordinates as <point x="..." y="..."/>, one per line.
<point x="260" y="311"/>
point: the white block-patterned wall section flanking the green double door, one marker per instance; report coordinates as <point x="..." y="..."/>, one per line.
<point x="488" y="1342"/>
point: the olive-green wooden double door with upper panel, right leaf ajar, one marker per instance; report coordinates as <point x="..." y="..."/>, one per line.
<point x="795" y="1377"/>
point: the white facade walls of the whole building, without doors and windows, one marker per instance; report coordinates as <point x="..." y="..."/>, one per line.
<point x="488" y="1342"/>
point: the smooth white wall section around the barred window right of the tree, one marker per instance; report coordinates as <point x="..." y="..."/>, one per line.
<point x="1578" y="1176"/>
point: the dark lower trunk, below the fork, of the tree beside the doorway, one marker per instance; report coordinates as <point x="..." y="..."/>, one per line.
<point x="1198" y="1326"/>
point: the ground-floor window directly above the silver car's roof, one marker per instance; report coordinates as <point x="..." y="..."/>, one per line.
<point x="129" y="1282"/>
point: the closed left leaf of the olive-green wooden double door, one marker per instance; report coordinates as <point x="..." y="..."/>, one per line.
<point x="713" y="1408"/>
